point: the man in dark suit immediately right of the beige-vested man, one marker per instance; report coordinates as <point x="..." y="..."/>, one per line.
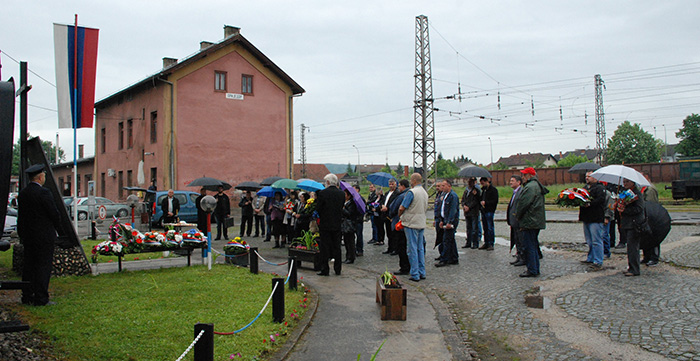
<point x="449" y="220"/>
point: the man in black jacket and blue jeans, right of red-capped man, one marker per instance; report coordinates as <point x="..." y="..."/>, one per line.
<point x="593" y="217"/>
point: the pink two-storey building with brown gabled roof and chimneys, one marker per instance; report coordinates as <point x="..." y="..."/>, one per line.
<point x="224" y="112"/>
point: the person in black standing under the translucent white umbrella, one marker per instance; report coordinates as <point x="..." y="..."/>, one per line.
<point x="632" y="213"/>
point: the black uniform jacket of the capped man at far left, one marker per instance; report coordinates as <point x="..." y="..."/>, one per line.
<point x="37" y="217"/>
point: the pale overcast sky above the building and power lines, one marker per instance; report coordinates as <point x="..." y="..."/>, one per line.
<point x="356" y="62"/>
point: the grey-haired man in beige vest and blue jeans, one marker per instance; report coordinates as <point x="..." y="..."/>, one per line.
<point x="412" y="214"/>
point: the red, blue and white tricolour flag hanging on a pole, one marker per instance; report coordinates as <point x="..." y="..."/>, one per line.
<point x="76" y="68"/>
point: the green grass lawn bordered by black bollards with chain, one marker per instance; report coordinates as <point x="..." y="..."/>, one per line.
<point x="150" y="315"/>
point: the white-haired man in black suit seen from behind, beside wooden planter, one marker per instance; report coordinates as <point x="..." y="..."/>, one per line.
<point x="329" y="205"/>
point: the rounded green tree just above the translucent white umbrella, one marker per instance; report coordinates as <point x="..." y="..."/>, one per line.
<point x="632" y="144"/>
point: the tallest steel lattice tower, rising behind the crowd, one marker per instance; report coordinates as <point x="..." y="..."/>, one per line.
<point x="424" y="155"/>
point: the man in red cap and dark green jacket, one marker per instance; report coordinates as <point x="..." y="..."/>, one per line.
<point x="531" y="219"/>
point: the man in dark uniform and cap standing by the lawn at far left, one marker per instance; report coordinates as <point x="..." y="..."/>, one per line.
<point x="37" y="221"/>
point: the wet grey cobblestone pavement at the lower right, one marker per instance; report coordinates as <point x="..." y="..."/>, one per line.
<point x="656" y="314"/>
